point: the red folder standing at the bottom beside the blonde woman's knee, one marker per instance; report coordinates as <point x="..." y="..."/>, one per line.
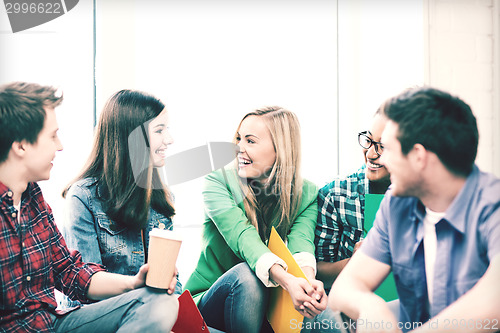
<point x="189" y="319"/>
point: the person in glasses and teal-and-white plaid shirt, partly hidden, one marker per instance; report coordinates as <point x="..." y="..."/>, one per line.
<point x="341" y="206"/>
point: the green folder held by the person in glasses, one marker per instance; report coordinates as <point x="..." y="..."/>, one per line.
<point x="387" y="290"/>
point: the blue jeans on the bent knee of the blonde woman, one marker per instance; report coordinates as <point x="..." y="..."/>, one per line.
<point x="236" y="302"/>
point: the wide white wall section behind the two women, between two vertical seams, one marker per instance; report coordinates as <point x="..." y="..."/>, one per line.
<point x="212" y="62"/>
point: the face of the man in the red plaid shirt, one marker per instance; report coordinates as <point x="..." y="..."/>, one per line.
<point x="39" y="155"/>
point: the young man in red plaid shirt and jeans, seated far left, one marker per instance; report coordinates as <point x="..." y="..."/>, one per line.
<point x="34" y="258"/>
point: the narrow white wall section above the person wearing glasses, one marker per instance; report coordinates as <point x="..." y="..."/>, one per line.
<point x="381" y="53"/>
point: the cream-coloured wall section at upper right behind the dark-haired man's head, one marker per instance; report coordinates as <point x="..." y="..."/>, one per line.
<point x="462" y="56"/>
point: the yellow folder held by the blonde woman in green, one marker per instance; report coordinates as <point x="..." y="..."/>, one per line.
<point x="281" y="313"/>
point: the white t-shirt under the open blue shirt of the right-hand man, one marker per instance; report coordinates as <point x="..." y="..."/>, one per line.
<point x="430" y="247"/>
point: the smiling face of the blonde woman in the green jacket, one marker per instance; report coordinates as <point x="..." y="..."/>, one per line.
<point x="257" y="154"/>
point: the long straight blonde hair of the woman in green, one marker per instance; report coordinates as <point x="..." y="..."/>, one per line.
<point x="285" y="181"/>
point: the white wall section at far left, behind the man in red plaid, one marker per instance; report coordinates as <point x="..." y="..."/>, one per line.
<point x="58" y="53"/>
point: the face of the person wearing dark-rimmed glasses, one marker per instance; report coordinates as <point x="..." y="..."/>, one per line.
<point x="375" y="170"/>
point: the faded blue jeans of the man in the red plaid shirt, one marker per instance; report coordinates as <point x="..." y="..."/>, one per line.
<point x="144" y="309"/>
